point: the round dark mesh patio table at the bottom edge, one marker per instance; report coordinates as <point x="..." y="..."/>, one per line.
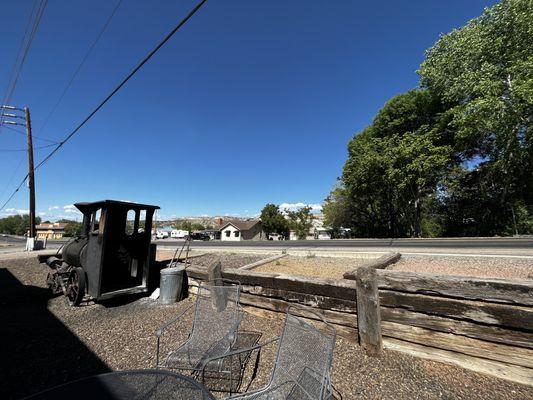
<point x="129" y="385"/>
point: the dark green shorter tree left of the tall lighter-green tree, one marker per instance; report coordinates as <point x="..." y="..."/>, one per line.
<point x="393" y="166"/>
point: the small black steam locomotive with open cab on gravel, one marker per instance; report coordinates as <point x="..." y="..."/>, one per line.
<point x="113" y="255"/>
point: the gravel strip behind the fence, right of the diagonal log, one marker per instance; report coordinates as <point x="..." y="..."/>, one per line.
<point x="504" y="268"/>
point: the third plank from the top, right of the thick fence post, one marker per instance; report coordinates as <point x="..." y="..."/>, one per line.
<point x="469" y="329"/>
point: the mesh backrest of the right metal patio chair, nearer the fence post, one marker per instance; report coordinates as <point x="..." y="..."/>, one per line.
<point x="304" y="357"/>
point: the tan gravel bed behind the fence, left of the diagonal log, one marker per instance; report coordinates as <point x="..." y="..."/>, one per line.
<point x="324" y="267"/>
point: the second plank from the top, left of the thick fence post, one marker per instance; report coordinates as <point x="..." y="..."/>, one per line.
<point x="323" y="302"/>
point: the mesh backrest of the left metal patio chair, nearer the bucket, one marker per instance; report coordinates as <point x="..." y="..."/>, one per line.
<point x="217" y="313"/>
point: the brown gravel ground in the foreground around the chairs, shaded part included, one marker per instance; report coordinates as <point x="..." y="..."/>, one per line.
<point x="46" y="343"/>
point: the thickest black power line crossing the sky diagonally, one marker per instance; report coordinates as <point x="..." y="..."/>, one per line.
<point x="113" y="92"/>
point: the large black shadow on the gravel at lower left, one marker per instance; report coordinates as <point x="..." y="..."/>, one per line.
<point x="38" y="350"/>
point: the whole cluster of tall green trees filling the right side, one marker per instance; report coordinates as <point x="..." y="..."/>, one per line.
<point x="453" y="157"/>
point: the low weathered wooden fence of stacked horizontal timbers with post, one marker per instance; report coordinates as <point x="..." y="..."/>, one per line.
<point x="481" y="324"/>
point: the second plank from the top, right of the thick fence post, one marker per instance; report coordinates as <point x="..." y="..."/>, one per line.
<point x="504" y="315"/>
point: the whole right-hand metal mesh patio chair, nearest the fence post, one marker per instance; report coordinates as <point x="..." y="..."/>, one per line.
<point x="303" y="362"/>
